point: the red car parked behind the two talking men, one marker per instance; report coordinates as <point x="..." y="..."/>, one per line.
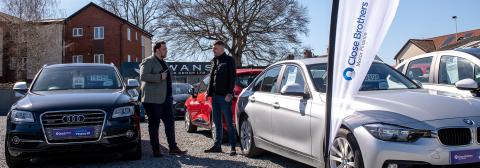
<point x="199" y="108"/>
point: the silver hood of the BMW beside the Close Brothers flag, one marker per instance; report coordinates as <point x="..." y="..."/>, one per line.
<point x="413" y="105"/>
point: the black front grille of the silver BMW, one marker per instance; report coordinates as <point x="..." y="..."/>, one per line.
<point x="455" y="136"/>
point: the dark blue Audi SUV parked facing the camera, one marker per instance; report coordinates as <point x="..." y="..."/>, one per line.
<point x="73" y="108"/>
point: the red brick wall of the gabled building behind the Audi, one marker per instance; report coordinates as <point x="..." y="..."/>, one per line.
<point x="114" y="46"/>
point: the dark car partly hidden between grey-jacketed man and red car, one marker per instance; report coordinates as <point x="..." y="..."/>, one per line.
<point x="180" y="93"/>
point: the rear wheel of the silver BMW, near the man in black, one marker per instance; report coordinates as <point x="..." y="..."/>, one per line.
<point x="247" y="141"/>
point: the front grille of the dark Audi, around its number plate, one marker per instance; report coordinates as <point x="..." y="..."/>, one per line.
<point x="92" y="119"/>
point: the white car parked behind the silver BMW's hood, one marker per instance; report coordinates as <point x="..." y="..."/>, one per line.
<point x="448" y="71"/>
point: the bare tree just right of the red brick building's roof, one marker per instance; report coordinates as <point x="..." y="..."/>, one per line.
<point x="142" y="13"/>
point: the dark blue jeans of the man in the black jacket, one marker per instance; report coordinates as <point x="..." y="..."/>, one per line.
<point x="219" y="107"/>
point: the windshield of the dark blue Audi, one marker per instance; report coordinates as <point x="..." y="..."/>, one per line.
<point x="73" y="78"/>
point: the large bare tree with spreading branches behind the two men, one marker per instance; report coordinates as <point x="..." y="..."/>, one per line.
<point x="256" y="31"/>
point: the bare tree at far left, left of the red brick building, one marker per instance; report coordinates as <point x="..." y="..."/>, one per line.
<point x="25" y="40"/>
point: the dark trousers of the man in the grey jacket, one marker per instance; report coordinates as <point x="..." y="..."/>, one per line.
<point x="155" y="113"/>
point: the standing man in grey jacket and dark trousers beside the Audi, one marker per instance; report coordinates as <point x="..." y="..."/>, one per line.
<point x="157" y="98"/>
